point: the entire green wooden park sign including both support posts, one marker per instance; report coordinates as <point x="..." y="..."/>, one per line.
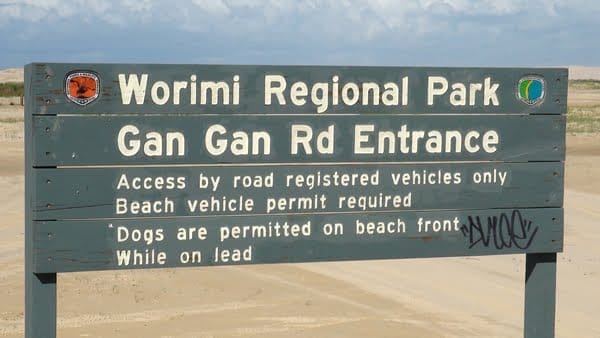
<point x="155" y="166"/>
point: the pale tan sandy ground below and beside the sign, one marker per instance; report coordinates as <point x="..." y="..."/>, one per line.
<point x="449" y="297"/>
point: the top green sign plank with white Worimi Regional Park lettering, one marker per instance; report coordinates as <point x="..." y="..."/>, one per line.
<point x="293" y="90"/>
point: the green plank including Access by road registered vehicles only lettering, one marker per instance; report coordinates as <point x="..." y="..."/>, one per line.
<point x="179" y="191"/>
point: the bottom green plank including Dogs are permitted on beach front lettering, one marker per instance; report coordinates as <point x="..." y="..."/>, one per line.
<point x="62" y="246"/>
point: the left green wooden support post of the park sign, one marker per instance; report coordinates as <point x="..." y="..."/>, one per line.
<point x="40" y="288"/>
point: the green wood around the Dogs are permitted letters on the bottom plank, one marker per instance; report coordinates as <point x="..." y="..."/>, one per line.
<point x="62" y="246"/>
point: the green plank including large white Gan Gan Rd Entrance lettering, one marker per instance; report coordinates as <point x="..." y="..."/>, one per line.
<point x="129" y="140"/>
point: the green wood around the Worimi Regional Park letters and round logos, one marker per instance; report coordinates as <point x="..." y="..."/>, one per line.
<point x="48" y="88"/>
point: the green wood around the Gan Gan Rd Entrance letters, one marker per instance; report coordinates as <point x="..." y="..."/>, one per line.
<point x="79" y="141"/>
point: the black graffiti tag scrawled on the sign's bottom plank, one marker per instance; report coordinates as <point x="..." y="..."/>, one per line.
<point x="500" y="231"/>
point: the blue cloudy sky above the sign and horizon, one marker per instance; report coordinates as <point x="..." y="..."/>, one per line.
<point x="485" y="33"/>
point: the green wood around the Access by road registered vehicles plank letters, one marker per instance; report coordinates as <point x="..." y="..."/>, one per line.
<point x="91" y="192"/>
